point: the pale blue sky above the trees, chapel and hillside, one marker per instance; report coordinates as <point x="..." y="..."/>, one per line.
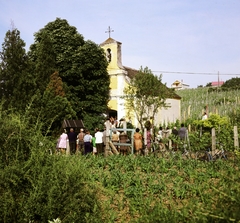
<point x="196" y="42"/>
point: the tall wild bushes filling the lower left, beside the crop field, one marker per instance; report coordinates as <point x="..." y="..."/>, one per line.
<point x="36" y="186"/>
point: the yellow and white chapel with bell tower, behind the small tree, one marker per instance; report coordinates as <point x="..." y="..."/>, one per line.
<point x="120" y="76"/>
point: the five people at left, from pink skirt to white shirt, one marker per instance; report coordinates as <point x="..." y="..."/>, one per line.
<point x="83" y="142"/>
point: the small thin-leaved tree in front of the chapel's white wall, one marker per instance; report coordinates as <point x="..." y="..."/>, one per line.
<point x="145" y="95"/>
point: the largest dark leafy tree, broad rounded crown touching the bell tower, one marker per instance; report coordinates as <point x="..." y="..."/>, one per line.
<point x="82" y="66"/>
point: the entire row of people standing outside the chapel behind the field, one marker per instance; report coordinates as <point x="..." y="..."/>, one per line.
<point x="84" y="142"/>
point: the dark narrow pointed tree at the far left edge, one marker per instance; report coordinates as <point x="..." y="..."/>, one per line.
<point x="16" y="84"/>
